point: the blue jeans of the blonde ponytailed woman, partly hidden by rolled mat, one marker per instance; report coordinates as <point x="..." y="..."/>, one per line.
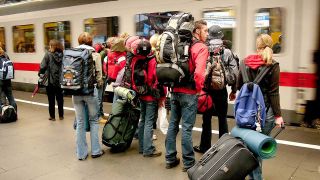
<point x="256" y="174"/>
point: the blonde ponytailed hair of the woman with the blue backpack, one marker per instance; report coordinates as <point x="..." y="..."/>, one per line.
<point x="264" y="45"/>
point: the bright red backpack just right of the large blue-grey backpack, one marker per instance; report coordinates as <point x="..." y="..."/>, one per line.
<point x="113" y="64"/>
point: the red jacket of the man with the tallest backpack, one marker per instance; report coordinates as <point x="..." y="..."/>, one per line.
<point x="199" y="55"/>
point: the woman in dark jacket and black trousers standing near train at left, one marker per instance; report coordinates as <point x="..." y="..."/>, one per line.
<point x="51" y="65"/>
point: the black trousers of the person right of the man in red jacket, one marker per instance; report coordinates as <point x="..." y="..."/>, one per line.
<point x="220" y="99"/>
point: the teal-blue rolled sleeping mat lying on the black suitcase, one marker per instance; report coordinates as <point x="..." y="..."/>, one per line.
<point x="258" y="143"/>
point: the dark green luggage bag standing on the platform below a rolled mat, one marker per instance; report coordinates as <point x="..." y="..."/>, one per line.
<point x="118" y="132"/>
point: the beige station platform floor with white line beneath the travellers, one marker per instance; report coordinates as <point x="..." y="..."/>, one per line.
<point x="34" y="148"/>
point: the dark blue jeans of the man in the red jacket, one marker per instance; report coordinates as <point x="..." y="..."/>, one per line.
<point x="183" y="106"/>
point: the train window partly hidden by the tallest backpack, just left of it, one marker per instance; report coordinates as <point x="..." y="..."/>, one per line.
<point x="150" y="23"/>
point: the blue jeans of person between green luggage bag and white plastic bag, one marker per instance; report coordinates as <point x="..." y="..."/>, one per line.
<point x="148" y="114"/>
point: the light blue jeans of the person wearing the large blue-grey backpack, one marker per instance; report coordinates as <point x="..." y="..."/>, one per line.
<point x="81" y="142"/>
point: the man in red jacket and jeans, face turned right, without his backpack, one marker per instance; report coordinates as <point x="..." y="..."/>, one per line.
<point x="184" y="102"/>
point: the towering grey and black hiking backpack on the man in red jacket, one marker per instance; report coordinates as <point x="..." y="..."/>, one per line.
<point x="174" y="50"/>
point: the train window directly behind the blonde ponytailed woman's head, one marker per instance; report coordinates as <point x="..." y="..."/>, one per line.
<point x="269" y="21"/>
